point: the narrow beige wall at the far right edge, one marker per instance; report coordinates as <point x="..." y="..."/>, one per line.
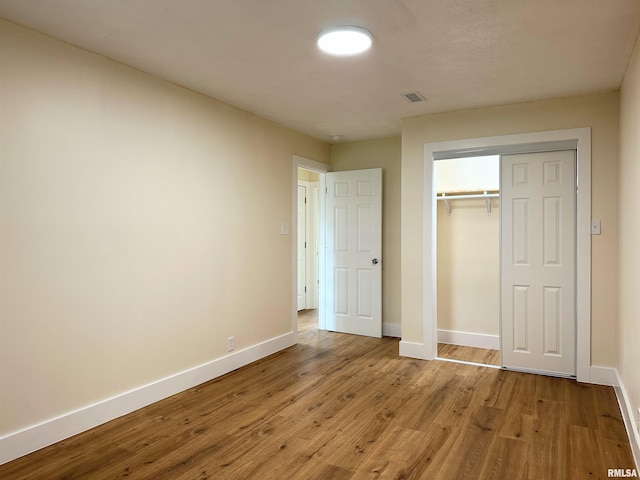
<point x="629" y="330"/>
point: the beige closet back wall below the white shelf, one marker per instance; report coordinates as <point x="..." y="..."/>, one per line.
<point x="468" y="267"/>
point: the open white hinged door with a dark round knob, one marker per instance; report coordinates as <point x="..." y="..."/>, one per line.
<point x="354" y="252"/>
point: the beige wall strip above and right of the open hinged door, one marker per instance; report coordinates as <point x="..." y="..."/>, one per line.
<point x="384" y="153"/>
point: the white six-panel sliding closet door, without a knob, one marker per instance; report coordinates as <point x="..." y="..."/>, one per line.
<point x="538" y="205"/>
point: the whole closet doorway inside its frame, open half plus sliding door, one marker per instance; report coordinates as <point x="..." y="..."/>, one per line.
<point x="533" y="296"/>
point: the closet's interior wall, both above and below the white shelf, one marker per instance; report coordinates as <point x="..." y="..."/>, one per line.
<point x="468" y="247"/>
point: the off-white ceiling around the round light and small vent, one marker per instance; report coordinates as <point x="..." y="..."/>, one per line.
<point x="260" y="55"/>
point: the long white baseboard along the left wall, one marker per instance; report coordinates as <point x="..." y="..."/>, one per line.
<point x="35" y="437"/>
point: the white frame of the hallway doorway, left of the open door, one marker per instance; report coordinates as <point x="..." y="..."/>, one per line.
<point x="321" y="168"/>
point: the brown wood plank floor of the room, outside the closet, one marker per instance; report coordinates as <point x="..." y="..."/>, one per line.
<point x="347" y="407"/>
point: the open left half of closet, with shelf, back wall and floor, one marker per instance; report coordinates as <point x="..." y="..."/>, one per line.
<point x="468" y="259"/>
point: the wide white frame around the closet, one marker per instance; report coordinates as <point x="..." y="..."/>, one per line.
<point x="578" y="139"/>
